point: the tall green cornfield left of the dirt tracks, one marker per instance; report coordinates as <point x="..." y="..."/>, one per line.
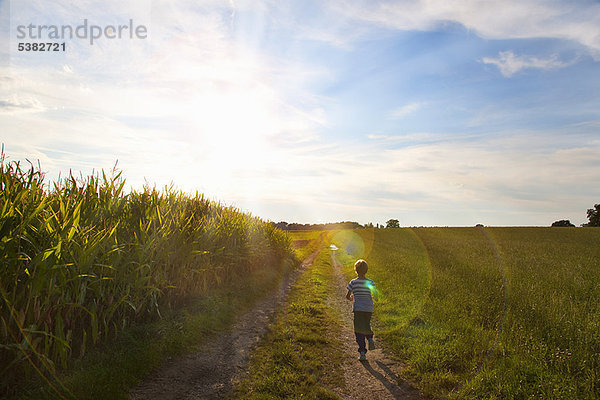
<point x="82" y="260"/>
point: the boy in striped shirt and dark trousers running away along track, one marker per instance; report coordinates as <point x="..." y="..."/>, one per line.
<point x="361" y="289"/>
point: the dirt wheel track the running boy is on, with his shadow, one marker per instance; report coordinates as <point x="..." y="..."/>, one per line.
<point x="378" y="377"/>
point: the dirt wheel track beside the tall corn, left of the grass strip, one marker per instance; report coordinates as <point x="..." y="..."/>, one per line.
<point x="211" y="372"/>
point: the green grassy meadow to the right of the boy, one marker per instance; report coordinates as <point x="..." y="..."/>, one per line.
<point x="500" y="313"/>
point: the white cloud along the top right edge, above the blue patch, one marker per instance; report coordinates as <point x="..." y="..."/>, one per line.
<point x="508" y="19"/>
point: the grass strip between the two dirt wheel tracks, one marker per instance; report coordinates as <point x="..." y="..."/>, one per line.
<point x="301" y="355"/>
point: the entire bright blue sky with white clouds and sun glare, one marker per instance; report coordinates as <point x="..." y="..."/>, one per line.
<point x="432" y="112"/>
